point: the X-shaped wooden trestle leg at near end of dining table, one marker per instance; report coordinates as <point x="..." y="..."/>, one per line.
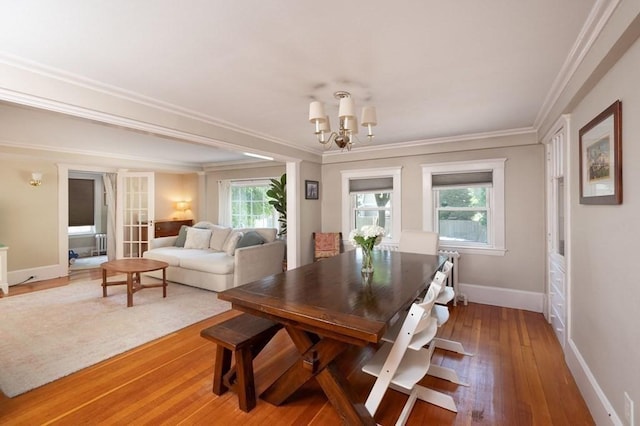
<point x="316" y="360"/>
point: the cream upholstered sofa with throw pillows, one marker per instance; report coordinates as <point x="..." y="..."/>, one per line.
<point x="217" y="258"/>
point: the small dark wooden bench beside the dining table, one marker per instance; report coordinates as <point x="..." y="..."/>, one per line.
<point x="245" y="335"/>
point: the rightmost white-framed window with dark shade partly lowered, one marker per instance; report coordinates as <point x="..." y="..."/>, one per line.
<point x="464" y="203"/>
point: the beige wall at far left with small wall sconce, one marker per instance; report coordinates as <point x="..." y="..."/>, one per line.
<point x="28" y="215"/>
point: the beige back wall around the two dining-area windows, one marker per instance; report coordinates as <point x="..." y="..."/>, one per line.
<point x="522" y="267"/>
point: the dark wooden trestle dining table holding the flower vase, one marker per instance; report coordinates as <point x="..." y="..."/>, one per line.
<point x="329" y="305"/>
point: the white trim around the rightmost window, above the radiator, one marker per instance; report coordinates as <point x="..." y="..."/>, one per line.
<point x="496" y="202"/>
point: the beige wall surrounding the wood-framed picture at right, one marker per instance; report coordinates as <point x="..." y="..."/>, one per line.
<point x="605" y="295"/>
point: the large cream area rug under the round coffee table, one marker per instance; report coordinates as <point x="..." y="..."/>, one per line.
<point x="51" y="333"/>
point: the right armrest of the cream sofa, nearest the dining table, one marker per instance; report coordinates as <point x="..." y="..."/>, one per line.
<point x="255" y="262"/>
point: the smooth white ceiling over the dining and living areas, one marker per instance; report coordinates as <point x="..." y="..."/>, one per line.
<point x="433" y="69"/>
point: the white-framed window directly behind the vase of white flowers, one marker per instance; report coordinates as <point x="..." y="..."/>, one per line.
<point x="372" y="197"/>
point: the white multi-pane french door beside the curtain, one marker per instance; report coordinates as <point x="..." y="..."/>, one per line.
<point x="135" y="213"/>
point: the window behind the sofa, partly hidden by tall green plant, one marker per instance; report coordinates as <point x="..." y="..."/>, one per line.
<point x="250" y="206"/>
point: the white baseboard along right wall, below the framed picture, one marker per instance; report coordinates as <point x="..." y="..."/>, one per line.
<point x="601" y="409"/>
